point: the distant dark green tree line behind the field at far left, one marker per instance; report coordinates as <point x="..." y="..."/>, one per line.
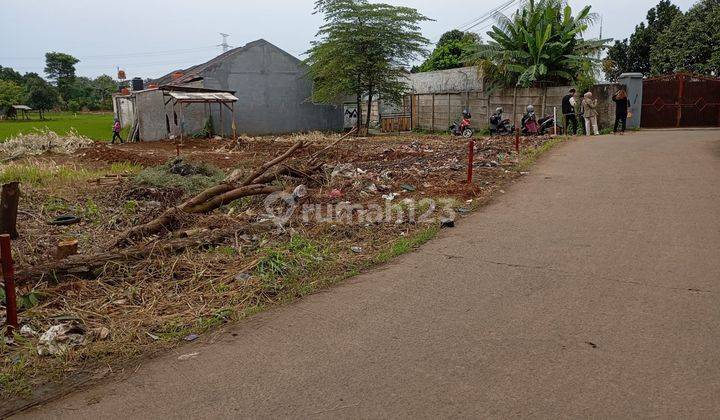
<point x="64" y="90"/>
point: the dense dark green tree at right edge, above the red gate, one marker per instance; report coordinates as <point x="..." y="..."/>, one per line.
<point x="691" y="42"/>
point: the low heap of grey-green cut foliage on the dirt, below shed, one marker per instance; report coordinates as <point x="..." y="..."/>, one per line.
<point x="160" y="176"/>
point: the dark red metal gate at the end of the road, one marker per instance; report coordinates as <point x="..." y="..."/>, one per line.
<point x="681" y="100"/>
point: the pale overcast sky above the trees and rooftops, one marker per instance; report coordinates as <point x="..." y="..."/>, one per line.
<point x="149" y="38"/>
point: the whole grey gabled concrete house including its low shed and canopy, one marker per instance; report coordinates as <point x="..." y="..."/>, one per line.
<point x="255" y="89"/>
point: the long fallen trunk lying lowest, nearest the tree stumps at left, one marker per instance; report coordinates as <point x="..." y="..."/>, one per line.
<point x="90" y="265"/>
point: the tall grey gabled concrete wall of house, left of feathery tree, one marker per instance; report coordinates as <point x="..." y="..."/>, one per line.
<point x="272" y="93"/>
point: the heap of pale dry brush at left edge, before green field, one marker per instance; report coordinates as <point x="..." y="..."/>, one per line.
<point x="41" y="141"/>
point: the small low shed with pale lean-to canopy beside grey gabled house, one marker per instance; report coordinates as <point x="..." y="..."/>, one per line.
<point x="173" y="111"/>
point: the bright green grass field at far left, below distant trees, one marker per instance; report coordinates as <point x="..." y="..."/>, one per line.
<point x="96" y="125"/>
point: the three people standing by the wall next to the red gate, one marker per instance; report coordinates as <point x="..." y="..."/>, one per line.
<point x="588" y="111"/>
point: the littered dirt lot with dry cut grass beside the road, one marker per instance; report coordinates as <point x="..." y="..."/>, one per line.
<point x="375" y="198"/>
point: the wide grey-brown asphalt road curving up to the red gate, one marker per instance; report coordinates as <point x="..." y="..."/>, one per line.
<point x="590" y="289"/>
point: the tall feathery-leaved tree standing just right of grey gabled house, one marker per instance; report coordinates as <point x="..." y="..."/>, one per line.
<point x="362" y="50"/>
